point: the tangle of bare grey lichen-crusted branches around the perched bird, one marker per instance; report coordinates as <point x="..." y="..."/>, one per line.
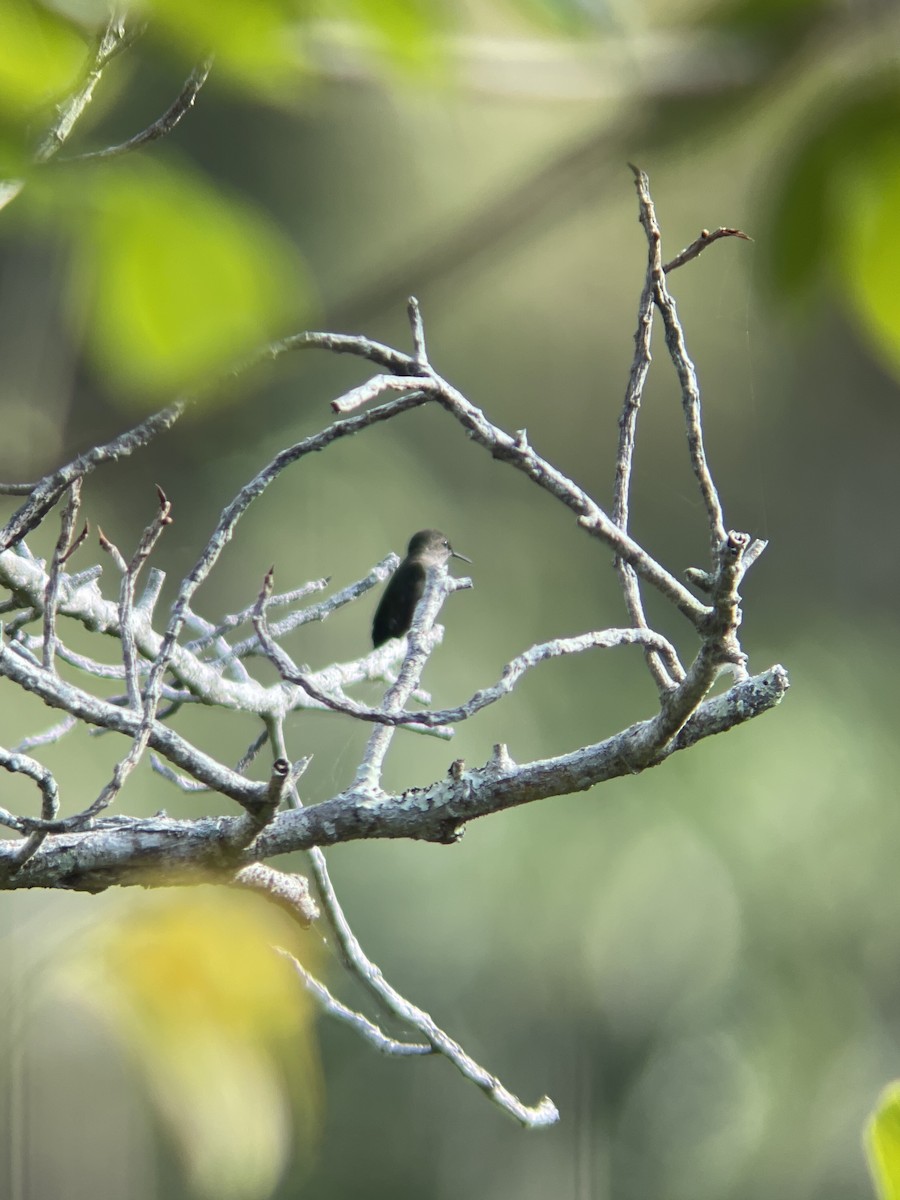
<point x="184" y="659"/>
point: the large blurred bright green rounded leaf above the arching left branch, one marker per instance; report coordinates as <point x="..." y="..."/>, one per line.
<point x="178" y="280"/>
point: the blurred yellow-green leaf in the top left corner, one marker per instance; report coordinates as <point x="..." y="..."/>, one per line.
<point x="40" y="58"/>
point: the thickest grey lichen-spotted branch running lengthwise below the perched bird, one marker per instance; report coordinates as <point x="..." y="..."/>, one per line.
<point x="122" y="851"/>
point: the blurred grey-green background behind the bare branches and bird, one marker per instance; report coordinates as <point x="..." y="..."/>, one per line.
<point x="700" y="965"/>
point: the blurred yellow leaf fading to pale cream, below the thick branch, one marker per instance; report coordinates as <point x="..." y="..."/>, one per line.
<point x="219" y="1025"/>
